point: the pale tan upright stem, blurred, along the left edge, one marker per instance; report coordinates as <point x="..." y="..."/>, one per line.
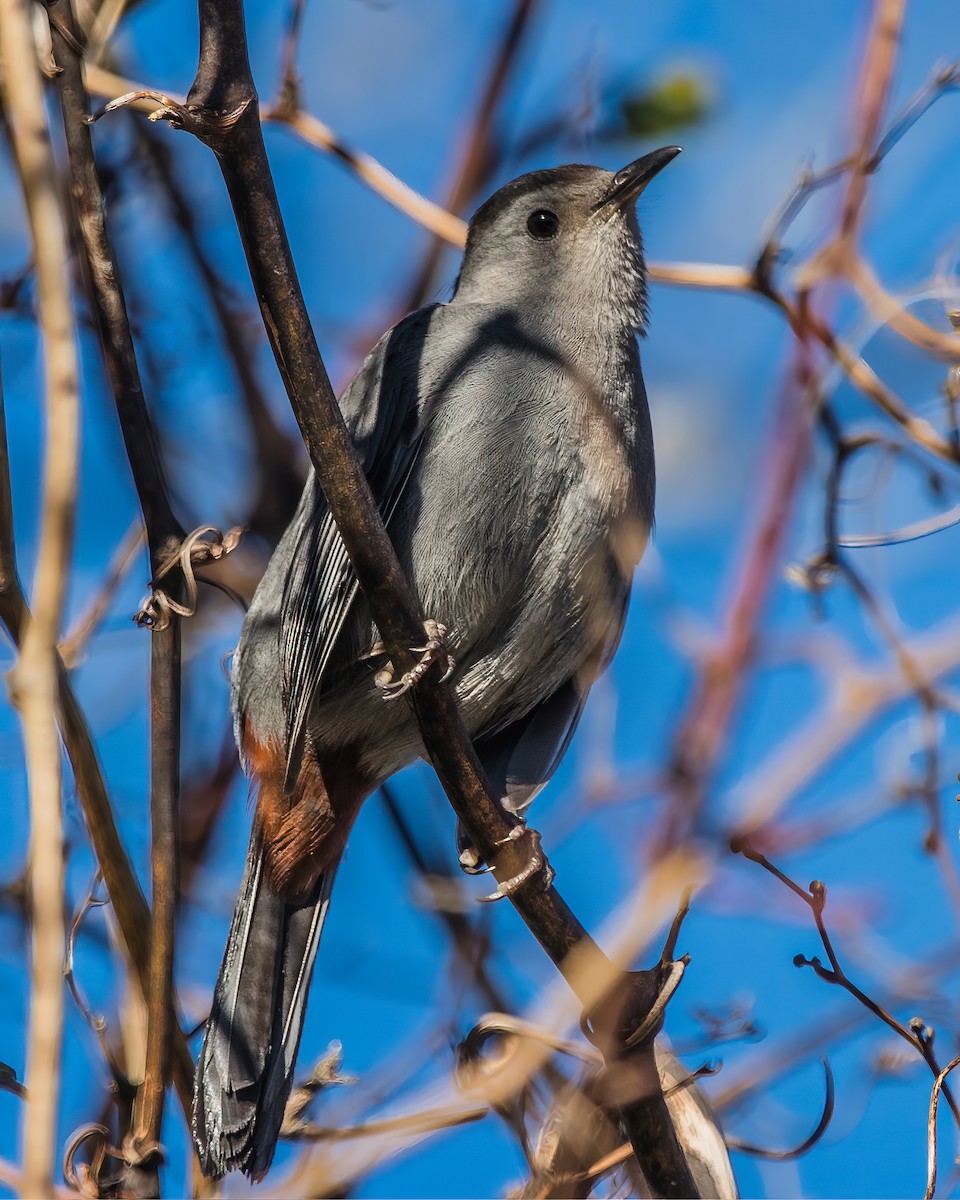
<point x="35" y="680"/>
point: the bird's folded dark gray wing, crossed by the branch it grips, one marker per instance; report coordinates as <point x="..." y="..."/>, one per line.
<point x="386" y="415"/>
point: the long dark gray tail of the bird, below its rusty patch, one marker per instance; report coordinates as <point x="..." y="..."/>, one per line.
<point x="245" y="1071"/>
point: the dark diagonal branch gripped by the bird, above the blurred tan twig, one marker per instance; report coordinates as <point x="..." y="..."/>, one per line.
<point x="226" y="81"/>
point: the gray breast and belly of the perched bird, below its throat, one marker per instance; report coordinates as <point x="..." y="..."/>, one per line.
<point x="533" y="483"/>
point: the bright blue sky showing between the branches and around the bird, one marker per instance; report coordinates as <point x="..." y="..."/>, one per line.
<point x="400" y="80"/>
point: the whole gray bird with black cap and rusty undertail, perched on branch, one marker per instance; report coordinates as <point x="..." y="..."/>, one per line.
<point x="507" y="440"/>
